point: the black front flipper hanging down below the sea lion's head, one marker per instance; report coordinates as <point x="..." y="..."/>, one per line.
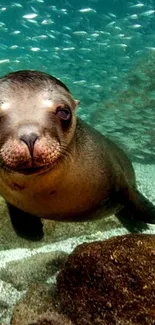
<point x="25" y="224"/>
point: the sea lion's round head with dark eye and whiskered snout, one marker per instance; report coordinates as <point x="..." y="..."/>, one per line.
<point x="37" y="121"/>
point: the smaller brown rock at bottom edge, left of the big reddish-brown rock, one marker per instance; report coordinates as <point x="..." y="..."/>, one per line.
<point x="36" y="308"/>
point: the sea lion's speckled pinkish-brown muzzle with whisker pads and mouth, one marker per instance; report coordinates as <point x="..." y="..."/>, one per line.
<point x="16" y="157"/>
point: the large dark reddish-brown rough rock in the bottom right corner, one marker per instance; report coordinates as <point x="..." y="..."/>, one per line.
<point x="110" y="282"/>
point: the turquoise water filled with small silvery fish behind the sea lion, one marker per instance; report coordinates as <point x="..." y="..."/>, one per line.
<point x="105" y="53"/>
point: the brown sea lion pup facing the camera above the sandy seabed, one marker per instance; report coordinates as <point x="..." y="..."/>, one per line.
<point x="55" y="166"/>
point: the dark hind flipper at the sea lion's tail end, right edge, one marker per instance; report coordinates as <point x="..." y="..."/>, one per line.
<point x="137" y="205"/>
